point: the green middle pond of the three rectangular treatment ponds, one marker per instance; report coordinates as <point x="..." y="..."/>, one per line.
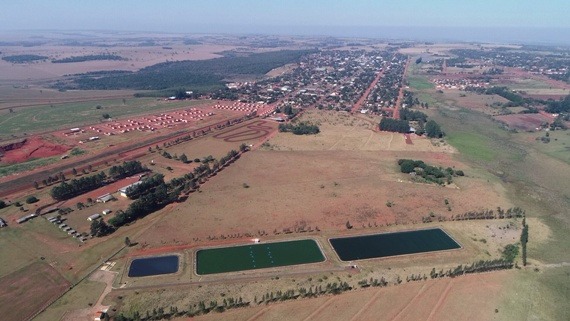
<point x="257" y="256"/>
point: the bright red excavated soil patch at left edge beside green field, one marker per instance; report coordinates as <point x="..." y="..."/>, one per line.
<point x="35" y="147"/>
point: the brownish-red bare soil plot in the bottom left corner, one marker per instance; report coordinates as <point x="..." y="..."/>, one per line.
<point x="27" y="291"/>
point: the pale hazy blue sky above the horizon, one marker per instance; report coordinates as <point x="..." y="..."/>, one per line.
<point x="474" y="20"/>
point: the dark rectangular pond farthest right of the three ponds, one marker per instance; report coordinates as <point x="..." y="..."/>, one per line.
<point x="392" y="244"/>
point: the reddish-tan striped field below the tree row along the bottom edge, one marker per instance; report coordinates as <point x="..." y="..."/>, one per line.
<point x="430" y="300"/>
